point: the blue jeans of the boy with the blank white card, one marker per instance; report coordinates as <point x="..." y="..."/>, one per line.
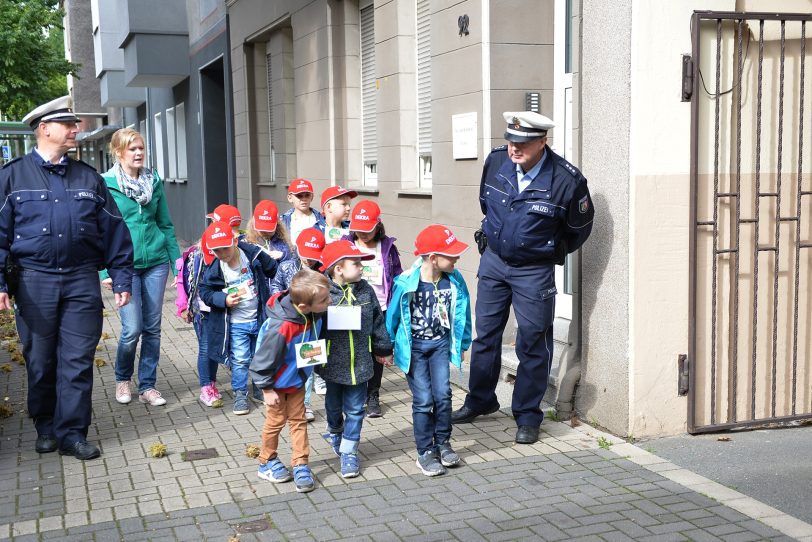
<point x="344" y="405"/>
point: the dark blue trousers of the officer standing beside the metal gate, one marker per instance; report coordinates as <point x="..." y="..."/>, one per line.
<point x="530" y="289"/>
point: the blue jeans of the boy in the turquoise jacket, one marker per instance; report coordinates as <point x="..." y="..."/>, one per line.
<point x="428" y="378"/>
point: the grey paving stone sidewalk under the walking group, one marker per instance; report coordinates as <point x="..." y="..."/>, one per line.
<point x="566" y="487"/>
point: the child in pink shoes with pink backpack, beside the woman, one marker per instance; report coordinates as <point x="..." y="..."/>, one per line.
<point x="191" y="309"/>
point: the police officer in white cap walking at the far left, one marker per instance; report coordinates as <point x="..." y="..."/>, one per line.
<point x="58" y="227"/>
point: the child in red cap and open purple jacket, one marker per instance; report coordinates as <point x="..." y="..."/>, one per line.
<point x="368" y="234"/>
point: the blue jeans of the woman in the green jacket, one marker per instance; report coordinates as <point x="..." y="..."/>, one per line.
<point x="141" y="318"/>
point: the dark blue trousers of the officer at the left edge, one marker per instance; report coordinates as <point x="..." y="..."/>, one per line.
<point x="59" y="320"/>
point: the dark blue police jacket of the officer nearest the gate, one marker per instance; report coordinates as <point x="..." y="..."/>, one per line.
<point x="546" y="221"/>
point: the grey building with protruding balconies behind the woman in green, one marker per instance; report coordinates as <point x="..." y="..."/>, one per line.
<point x="162" y="68"/>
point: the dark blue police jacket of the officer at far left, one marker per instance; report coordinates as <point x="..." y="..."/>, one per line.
<point x="61" y="223"/>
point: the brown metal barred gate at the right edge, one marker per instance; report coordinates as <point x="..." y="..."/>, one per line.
<point x="751" y="220"/>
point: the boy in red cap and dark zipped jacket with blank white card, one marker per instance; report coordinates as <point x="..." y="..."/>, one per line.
<point x="356" y="338"/>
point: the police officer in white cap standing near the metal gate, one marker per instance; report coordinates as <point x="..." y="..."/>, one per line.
<point x="537" y="210"/>
